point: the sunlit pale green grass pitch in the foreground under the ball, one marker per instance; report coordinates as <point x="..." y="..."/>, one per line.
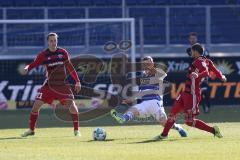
<point x="123" y="142"/>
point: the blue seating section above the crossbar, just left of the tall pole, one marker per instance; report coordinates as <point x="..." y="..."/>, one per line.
<point x="105" y="12"/>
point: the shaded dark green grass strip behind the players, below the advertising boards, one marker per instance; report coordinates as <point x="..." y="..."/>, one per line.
<point x="19" y="118"/>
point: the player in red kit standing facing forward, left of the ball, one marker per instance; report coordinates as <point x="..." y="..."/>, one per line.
<point x="57" y="63"/>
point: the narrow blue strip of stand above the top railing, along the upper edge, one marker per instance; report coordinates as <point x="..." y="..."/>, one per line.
<point x="74" y="3"/>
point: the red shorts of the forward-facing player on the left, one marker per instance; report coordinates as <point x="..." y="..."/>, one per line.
<point x="48" y="95"/>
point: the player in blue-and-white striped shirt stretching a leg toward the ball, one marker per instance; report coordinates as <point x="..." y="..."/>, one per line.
<point x="152" y="99"/>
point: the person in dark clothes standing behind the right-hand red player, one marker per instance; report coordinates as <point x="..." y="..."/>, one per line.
<point x="205" y="102"/>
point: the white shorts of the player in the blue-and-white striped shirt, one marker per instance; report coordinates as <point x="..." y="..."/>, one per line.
<point x="151" y="108"/>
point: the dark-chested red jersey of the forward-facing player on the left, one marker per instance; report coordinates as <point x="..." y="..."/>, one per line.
<point x="57" y="64"/>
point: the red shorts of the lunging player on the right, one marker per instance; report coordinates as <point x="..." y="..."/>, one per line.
<point x="187" y="103"/>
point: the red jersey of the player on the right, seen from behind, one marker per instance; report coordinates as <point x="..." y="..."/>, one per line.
<point x="201" y="66"/>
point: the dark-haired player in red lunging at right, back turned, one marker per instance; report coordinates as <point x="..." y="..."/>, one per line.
<point x="188" y="101"/>
